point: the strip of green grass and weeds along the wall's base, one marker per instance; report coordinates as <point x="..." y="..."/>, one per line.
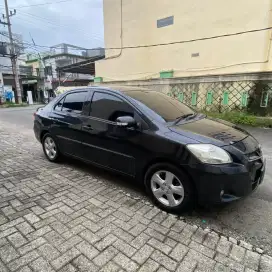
<point x="242" y="118"/>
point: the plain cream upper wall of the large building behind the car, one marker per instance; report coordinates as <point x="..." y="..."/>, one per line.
<point x="184" y="34"/>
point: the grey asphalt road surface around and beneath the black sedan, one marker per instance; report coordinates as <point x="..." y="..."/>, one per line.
<point x="248" y="219"/>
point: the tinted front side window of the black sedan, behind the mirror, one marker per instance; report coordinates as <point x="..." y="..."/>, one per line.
<point x="109" y="107"/>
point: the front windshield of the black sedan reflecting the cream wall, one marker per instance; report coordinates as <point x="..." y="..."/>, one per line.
<point x="160" y="106"/>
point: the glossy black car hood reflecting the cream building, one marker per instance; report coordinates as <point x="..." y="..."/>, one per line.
<point x="208" y="130"/>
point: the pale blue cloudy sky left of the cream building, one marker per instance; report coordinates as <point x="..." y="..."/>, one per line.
<point x="51" y="22"/>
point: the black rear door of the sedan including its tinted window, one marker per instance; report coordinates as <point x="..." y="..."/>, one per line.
<point x="66" y="122"/>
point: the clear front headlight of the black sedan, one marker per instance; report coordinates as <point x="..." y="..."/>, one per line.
<point x="208" y="153"/>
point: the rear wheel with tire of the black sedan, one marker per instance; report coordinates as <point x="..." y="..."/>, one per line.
<point x="50" y="148"/>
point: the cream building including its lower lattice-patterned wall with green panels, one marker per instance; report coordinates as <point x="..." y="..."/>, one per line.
<point x="213" y="55"/>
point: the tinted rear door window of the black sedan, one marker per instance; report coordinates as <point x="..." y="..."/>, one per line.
<point x="74" y="102"/>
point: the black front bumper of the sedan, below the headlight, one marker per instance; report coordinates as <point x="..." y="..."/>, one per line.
<point x="220" y="184"/>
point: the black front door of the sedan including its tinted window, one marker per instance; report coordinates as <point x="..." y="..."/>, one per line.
<point x="104" y="142"/>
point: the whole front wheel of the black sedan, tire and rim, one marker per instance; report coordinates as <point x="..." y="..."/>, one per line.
<point x="160" y="187"/>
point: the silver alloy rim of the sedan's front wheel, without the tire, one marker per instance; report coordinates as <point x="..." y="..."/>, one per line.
<point x="167" y="188"/>
